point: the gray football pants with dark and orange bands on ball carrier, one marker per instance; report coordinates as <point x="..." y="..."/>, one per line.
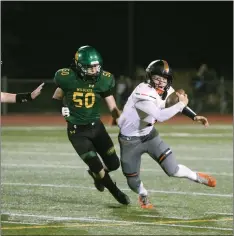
<point x="131" y="150"/>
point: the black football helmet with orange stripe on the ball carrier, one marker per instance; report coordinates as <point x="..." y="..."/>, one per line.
<point x="160" y="68"/>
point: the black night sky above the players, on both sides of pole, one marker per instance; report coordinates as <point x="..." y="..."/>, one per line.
<point x="40" y="37"/>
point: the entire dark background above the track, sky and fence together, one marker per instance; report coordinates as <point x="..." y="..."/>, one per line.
<point x="196" y="38"/>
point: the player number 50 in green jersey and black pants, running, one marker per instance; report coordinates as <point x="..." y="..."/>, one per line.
<point x="82" y="86"/>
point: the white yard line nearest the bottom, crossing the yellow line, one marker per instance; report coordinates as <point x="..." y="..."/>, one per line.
<point x="84" y="219"/>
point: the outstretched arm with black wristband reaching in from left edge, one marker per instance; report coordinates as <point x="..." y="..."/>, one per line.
<point x="21" y="97"/>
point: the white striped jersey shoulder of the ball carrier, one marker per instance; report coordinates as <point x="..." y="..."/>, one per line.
<point x="145" y="92"/>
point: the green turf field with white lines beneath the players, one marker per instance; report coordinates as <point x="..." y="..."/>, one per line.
<point x="46" y="189"/>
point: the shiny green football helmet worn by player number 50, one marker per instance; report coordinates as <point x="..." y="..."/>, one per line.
<point x="88" y="62"/>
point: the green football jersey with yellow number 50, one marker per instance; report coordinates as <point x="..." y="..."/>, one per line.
<point x="83" y="98"/>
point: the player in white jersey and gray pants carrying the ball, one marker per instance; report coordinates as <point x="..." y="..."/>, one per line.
<point x="145" y="106"/>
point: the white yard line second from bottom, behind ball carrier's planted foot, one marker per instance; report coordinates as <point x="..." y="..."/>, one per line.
<point x="92" y="188"/>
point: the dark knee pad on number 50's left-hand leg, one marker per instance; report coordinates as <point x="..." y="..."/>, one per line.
<point x="93" y="161"/>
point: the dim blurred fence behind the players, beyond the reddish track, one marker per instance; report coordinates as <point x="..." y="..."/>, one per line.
<point x="218" y="100"/>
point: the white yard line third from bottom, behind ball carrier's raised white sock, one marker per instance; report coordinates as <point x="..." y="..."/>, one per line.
<point x="43" y="166"/>
